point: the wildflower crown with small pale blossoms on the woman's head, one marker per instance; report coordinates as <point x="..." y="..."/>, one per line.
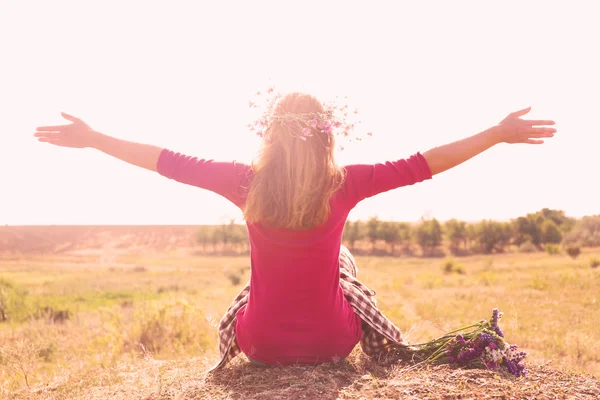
<point x="334" y="120"/>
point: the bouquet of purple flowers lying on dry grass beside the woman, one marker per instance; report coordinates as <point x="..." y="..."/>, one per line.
<point x="480" y="345"/>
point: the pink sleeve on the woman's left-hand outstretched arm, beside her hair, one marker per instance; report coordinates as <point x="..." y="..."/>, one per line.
<point x="229" y="179"/>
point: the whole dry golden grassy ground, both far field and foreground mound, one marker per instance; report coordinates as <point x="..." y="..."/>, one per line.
<point x="119" y="299"/>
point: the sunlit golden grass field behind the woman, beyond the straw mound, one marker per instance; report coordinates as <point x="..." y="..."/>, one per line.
<point x="71" y="316"/>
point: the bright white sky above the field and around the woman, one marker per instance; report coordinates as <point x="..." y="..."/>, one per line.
<point x="179" y="74"/>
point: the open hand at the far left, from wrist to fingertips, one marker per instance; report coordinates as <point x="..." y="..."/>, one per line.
<point x="78" y="134"/>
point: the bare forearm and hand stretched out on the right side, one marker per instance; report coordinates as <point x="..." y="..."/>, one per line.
<point x="512" y="129"/>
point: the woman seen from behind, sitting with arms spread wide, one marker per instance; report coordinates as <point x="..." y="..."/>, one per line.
<point x="305" y="304"/>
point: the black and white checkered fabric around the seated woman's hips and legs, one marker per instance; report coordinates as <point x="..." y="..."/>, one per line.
<point x="381" y="338"/>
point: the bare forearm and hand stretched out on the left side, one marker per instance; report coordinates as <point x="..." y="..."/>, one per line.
<point x="78" y="134"/>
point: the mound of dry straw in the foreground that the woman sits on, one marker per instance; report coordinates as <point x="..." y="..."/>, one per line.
<point x="354" y="378"/>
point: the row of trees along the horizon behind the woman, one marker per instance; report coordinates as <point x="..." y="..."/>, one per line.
<point x="546" y="229"/>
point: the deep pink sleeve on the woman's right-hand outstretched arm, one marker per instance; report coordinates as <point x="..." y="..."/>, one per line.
<point x="367" y="180"/>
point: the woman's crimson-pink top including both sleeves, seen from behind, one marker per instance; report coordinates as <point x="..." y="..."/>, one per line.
<point x="296" y="312"/>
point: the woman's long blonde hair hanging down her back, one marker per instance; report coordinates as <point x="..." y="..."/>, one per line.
<point x="293" y="179"/>
